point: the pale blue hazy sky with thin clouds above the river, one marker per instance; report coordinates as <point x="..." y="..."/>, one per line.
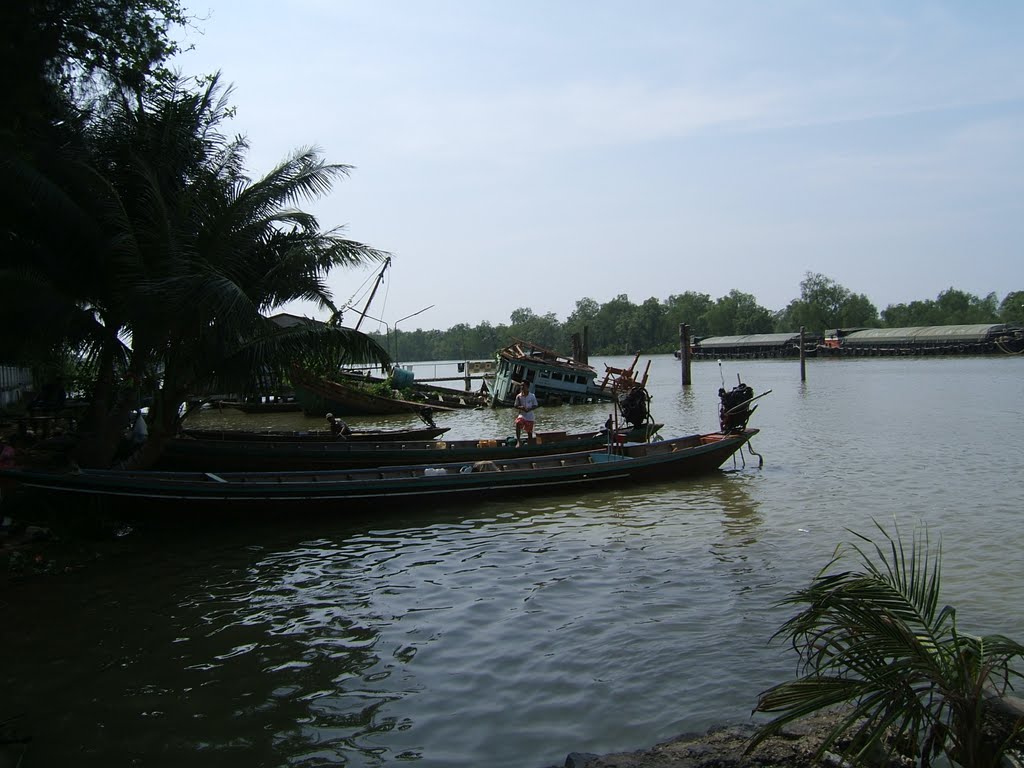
<point x="532" y="154"/>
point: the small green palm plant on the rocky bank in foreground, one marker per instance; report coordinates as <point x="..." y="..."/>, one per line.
<point x="877" y="643"/>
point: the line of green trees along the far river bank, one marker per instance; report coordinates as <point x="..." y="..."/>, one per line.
<point x="621" y="327"/>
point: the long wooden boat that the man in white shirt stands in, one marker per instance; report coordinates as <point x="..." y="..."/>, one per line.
<point x="223" y="456"/>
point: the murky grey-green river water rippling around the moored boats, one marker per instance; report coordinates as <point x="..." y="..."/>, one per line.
<point x="515" y="633"/>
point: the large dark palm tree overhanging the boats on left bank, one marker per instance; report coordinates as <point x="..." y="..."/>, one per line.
<point x="173" y="258"/>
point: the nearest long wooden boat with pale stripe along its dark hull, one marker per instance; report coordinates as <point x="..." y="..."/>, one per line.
<point x="345" y="492"/>
